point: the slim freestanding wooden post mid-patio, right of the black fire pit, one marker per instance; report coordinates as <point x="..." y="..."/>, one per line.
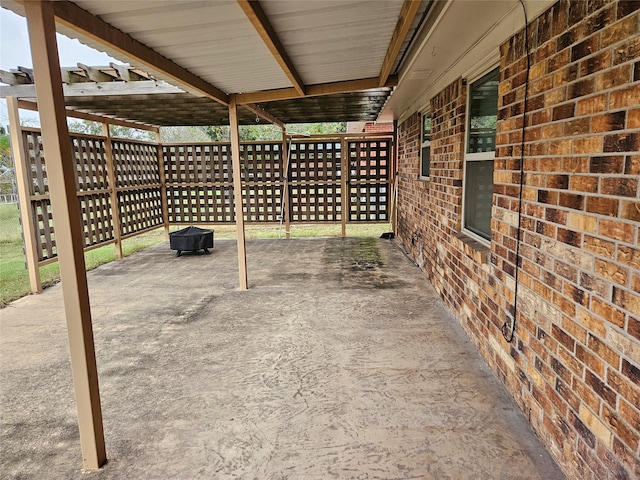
<point x="237" y="191"/>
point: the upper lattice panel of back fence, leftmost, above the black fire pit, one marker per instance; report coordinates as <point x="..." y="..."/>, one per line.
<point x="202" y="163"/>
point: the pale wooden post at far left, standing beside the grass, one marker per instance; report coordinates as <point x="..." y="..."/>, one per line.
<point x="21" y="164"/>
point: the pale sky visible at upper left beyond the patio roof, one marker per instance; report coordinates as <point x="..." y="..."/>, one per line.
<point x="15" y="51"/>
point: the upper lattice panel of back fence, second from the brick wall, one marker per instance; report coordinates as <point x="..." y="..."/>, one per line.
<point x="314" y="161"/>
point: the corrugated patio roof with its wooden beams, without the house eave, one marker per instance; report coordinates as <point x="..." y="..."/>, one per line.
<point x="299" y="61"/>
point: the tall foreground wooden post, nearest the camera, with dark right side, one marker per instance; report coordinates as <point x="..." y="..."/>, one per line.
<point x="69" y="231"/>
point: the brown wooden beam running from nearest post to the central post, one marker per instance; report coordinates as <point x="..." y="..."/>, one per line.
<point x="74" y="17"/>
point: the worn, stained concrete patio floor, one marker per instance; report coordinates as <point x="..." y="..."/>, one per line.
<point x="340" y="361"/>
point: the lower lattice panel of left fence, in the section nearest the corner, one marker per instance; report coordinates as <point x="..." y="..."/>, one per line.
<point x="140" y="209"/>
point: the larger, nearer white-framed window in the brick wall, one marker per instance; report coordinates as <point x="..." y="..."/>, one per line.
<point x="481" y="134"/>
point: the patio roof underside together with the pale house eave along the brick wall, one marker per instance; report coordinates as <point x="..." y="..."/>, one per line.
<point x="299" y="61"/>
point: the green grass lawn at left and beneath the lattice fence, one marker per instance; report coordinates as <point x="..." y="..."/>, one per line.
<point x="14" y="279"/>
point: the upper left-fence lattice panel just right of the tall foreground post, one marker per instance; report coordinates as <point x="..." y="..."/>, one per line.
<point x="91" y="163"/>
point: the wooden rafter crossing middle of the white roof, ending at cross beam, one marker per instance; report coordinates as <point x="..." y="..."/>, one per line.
<point x="258" y="18"/>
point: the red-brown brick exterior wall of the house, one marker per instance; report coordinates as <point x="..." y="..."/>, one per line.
<point x="573" y="366"/>
